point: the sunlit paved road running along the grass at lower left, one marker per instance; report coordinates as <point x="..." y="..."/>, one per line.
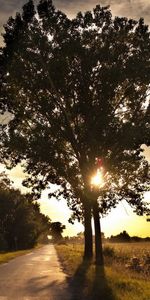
<point x="34" y="276"/>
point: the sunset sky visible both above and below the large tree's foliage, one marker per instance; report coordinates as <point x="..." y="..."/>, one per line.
<point x="121" y="218"/>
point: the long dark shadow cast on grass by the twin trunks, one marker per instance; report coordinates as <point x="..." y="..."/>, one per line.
<point x="84" y="286"/>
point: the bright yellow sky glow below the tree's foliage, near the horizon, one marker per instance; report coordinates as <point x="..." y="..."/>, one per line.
<point x="119" y="219"/>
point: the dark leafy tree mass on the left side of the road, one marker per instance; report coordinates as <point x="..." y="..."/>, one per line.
<point x="21" y="222"/>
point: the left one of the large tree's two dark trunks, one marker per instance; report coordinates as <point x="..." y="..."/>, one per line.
<point x="88" y="245"/>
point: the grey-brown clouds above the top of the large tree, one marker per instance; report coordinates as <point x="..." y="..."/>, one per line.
<point x="129" y="8"/>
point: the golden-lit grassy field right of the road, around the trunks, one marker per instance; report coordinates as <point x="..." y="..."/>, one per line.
<point x="115" y="281"/>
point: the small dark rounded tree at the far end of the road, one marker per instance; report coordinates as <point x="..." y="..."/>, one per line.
<point x="56" y="230"/>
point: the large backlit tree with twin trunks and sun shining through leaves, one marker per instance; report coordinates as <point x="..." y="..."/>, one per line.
<point x="78" y="90"/>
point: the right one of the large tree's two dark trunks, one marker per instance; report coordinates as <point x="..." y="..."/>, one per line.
<point x="98" y="238"/>
